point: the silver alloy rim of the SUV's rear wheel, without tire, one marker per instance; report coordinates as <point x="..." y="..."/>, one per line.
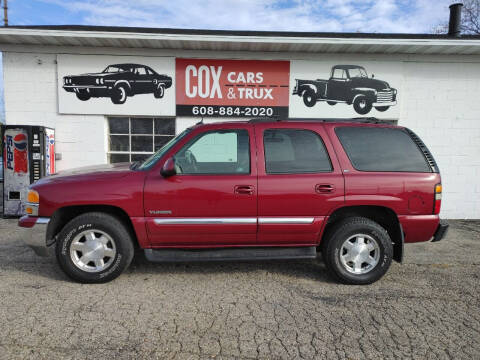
<point x="359" y="254"/>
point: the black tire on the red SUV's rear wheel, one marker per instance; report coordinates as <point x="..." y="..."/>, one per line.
<point x="336" y="237"/>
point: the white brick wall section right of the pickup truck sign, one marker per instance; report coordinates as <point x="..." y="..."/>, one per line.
<point x="441" y="103"/>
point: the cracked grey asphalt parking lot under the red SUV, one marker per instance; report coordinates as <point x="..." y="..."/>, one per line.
<point x="427" y="308"/>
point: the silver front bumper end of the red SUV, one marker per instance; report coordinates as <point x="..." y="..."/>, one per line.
<point x="34" y="233"/>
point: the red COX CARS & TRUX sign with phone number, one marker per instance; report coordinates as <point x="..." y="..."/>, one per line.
<point x="232" y="88"/>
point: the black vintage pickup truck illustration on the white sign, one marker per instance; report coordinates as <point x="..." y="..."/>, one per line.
<point x="348" y="84"/>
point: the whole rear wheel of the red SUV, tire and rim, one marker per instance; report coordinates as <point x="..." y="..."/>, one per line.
<point x="357" y="251"/>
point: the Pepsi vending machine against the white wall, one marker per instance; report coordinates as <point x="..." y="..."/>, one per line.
<point x="28" y="155"/>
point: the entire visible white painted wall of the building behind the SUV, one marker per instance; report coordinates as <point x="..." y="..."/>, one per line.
<point x="439" y="101"/>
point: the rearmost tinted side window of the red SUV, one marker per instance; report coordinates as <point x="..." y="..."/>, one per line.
<point x="381" y="149"/>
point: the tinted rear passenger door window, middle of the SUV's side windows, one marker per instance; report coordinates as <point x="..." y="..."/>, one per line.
<point x="294" y="151"/>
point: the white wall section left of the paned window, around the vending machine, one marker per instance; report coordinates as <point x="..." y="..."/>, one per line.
<point x="30" y="85"/>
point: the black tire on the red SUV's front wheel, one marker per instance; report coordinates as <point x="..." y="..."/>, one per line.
<point x="98" y="223"/>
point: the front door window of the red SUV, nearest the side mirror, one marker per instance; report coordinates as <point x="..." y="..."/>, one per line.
<point x="216" y="152"/>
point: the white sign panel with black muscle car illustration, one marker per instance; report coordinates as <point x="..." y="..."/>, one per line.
<point x="116" y="85"/>
